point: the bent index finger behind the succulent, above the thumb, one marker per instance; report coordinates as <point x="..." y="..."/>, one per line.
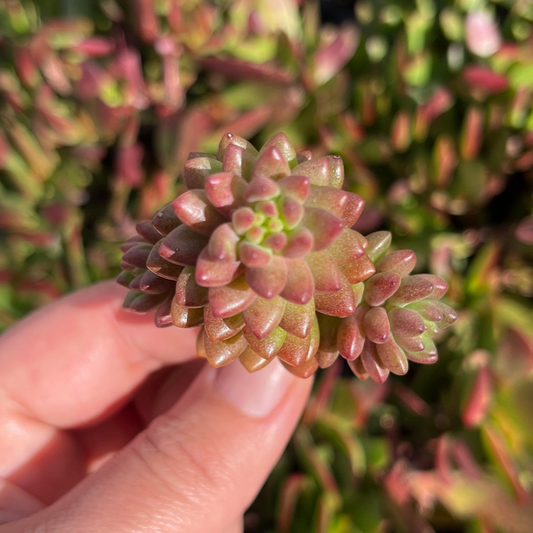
<point x="78" y="359"/>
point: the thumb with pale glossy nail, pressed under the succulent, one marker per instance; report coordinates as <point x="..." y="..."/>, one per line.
<point x="198" y="466"/>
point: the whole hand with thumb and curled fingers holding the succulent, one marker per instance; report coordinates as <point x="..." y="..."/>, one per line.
<point x="100" y="430"/>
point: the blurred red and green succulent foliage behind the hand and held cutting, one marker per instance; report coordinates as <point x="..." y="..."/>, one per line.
<point x="429" y="103"/>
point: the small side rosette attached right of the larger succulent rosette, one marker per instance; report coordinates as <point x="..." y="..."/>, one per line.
<point x="396" y="319"/>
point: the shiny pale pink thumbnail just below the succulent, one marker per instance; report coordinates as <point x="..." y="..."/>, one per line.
<point x="257" y="394"/>
